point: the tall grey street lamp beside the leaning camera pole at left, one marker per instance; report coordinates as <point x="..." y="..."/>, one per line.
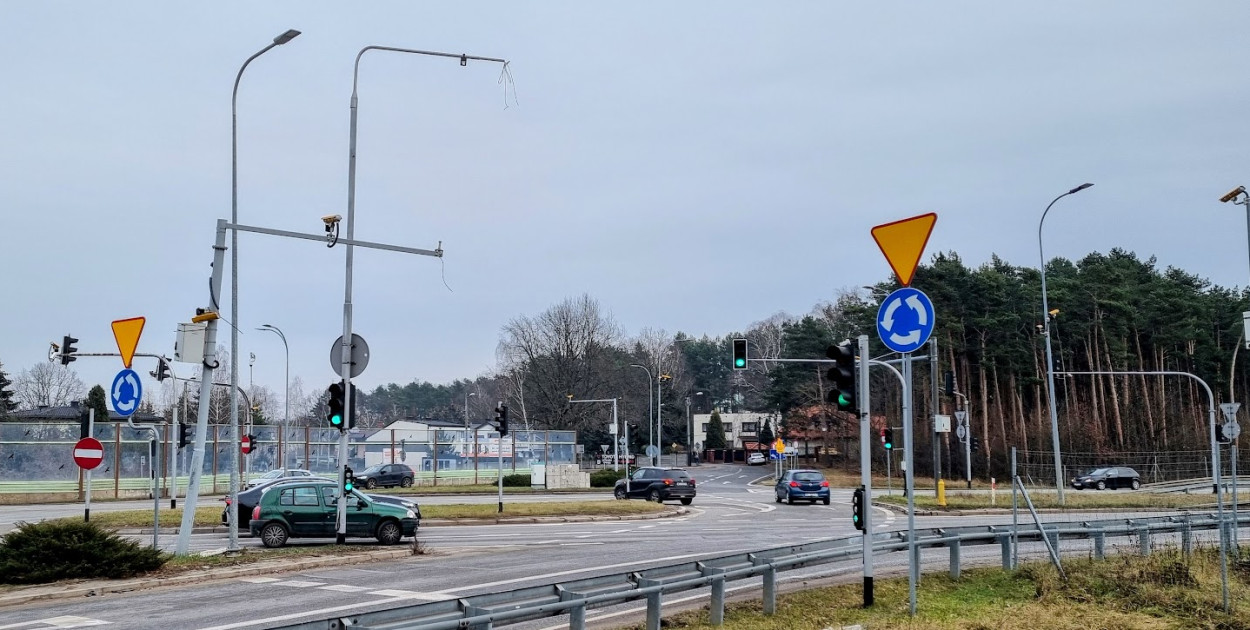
<point x="234" y="274"/>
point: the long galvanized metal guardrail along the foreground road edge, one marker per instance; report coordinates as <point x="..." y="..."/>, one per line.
<point x="574" y="598"/>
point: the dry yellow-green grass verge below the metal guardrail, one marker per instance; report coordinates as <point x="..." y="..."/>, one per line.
<point x="1163" y="591"/>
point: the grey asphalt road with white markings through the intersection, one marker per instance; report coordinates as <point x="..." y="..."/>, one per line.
<point x="728" y="517"/>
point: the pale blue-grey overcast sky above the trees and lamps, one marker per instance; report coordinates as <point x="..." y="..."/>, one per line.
<point x="694" y="167"/>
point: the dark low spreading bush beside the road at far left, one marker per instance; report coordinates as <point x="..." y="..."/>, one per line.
<point x="41" y="553"/>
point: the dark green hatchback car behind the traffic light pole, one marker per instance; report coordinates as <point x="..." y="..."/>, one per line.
<point x="309" y="511"/>
